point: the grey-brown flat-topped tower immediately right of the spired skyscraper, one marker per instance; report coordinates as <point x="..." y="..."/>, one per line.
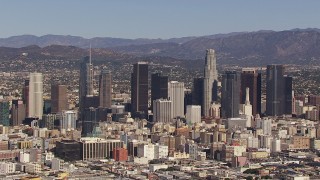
<point x="105" y="89"/>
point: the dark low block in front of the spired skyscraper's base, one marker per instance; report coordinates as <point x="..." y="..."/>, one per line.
<point x="89" y="121"/>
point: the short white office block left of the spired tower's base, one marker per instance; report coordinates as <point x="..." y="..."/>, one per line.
<point x="68" y="120"/>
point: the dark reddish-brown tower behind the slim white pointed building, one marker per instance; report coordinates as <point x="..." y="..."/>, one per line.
<point x="251" y="79"/>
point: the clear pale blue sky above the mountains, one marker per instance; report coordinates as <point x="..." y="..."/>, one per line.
<point x="153" y="19"/>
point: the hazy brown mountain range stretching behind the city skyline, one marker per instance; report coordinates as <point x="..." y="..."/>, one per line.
<point x="297" y="46"/>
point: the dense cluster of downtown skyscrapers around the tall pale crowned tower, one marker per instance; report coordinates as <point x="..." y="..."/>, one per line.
<point x="241" y="93"/>
